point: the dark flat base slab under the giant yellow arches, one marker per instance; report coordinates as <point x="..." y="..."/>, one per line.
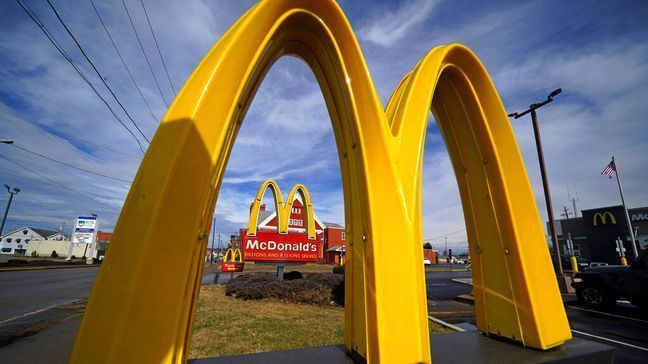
<point x="456" y="347"/>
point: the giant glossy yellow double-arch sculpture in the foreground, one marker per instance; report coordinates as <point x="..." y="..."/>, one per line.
<point x="143" y="301"/>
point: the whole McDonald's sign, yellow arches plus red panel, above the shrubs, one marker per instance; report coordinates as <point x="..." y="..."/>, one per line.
<point x="295" y="237"/>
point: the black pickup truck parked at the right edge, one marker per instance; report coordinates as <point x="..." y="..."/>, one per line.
<point x="602" y="286"/>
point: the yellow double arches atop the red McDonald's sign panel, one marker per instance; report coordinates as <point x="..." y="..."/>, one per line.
<point x="282" y="210"/>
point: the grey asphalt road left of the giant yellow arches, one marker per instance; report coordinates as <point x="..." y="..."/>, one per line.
<point x="27" y="291"/>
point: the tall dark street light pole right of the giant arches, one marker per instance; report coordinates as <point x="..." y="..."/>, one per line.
<point x="543" y="172"/>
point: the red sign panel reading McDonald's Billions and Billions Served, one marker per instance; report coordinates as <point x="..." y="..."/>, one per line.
<point x="270" y="246"/>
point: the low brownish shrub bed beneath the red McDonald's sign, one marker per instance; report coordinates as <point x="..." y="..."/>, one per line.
<point x="314" y="289"/>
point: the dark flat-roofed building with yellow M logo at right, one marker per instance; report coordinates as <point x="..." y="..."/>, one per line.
<point x="595" y="233"/>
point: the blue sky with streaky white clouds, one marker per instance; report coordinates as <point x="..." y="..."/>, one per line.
<point x="596" y="51"/>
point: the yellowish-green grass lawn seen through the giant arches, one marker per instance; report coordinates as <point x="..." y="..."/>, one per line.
<point x="227" y="326"/>
